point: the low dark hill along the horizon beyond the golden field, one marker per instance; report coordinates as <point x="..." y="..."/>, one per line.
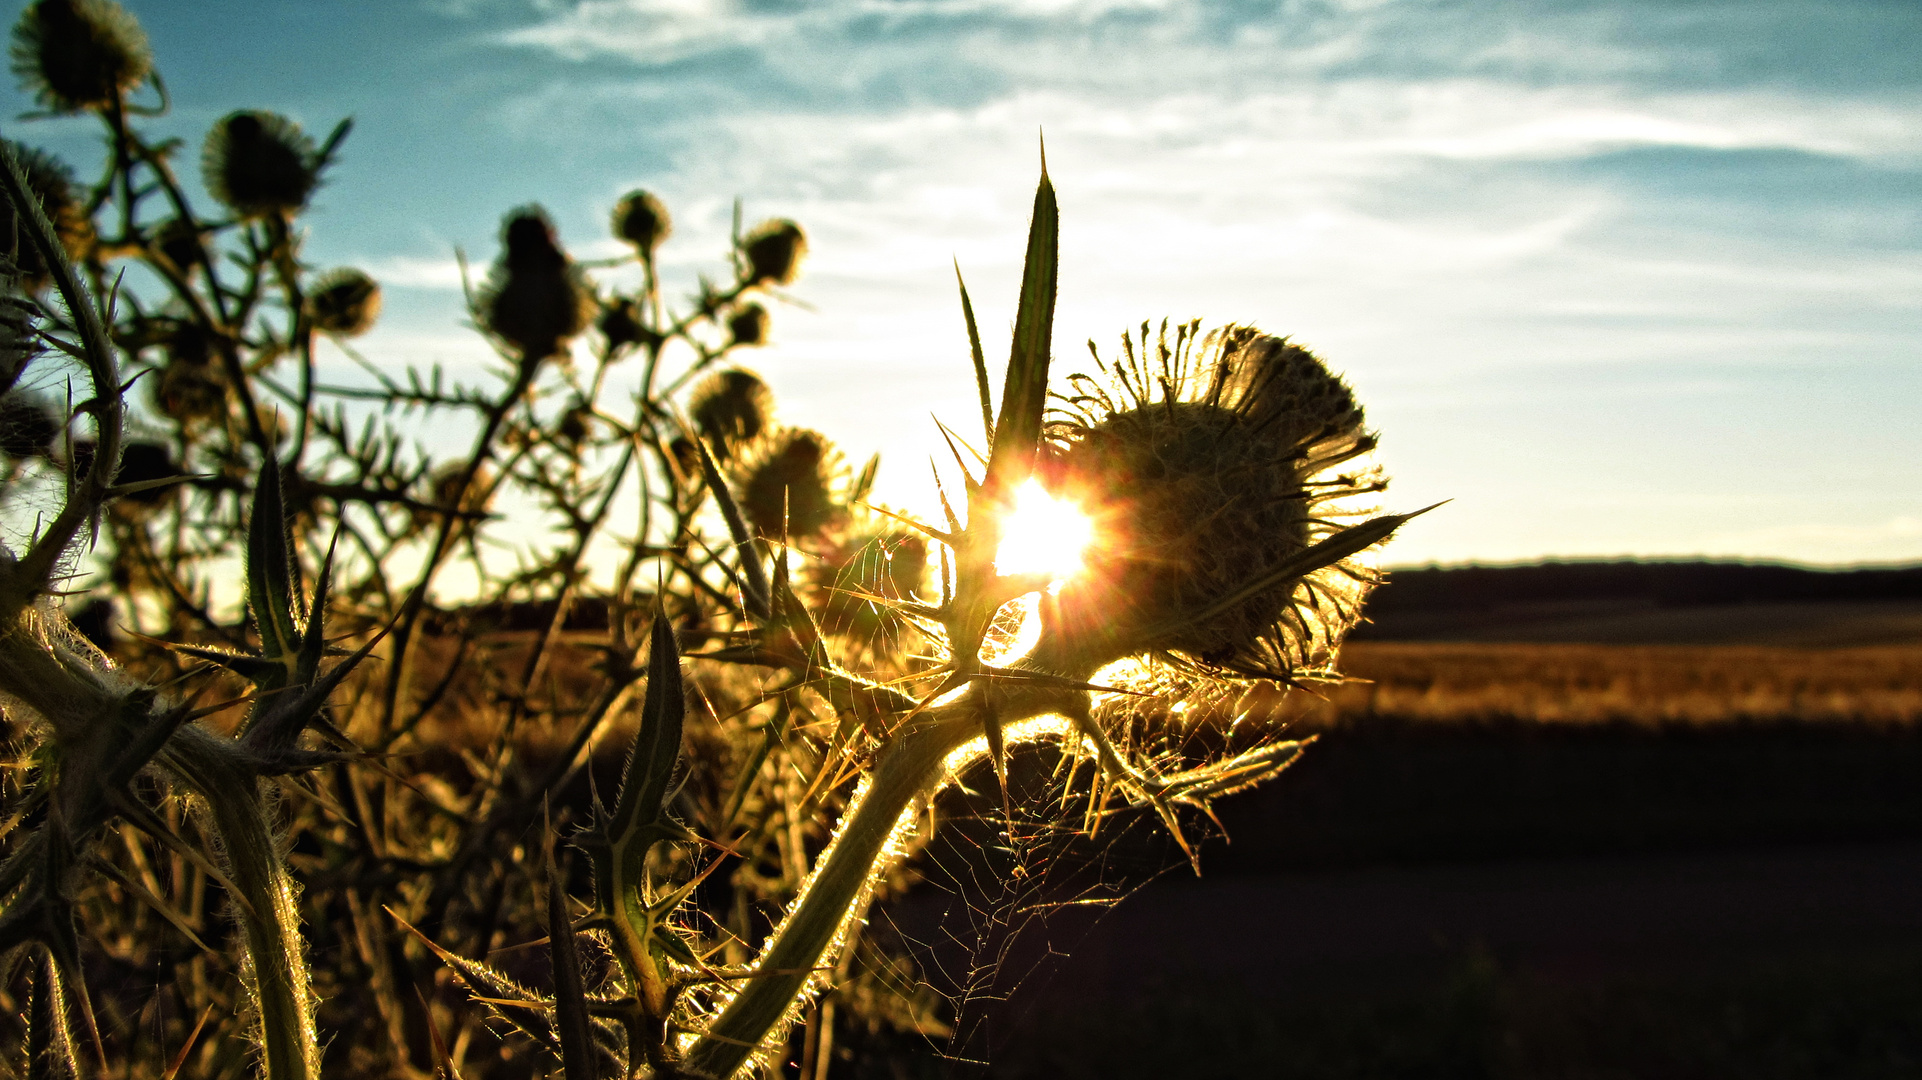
<point x="1629" y="602"/>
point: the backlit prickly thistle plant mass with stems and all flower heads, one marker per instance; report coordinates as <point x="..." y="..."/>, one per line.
<point x="578" y="741"/>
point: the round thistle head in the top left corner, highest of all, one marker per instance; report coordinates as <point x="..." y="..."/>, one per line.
<point x="80" y="55"/>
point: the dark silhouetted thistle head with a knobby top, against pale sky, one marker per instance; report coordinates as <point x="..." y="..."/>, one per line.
<point x="535" y="297"/>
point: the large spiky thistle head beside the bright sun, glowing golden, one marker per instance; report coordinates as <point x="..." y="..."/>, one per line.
<point x="1208" y="464"/>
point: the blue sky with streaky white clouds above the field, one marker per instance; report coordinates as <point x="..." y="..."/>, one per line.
<point x="1617" y="278"/>
